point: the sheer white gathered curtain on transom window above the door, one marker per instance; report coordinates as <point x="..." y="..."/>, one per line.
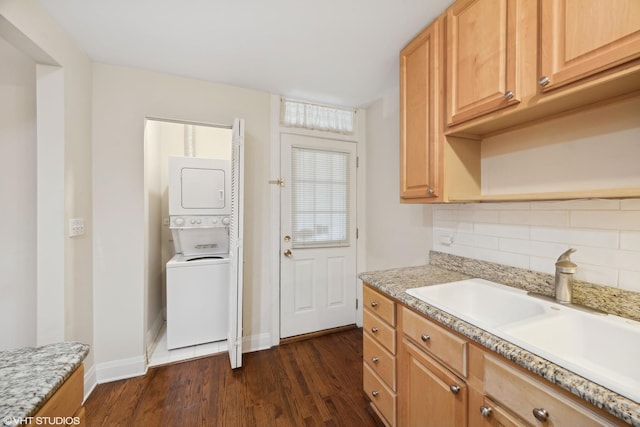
<point x="317" y="117"/>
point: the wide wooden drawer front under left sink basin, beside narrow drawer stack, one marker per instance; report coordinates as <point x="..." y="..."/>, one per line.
<point x="447" y="347"/>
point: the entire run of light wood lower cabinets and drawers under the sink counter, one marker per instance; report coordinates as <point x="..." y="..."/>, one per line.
<point x="421" y="373"/>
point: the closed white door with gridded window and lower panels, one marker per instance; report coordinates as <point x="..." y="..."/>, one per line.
<point x="318" y="242"/>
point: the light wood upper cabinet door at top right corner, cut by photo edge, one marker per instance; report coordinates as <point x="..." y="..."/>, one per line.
<point x="580" y="38"/>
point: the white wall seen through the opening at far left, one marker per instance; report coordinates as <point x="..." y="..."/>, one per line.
<point x="18" y="195"/>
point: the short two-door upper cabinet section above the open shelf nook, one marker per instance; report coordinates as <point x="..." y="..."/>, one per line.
<point x="512" y="62"/>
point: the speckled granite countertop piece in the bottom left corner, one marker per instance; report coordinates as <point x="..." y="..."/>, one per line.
<point x="30" y="376"/>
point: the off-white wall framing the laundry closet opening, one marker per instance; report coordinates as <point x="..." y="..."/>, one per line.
<point x="123" y="97"/>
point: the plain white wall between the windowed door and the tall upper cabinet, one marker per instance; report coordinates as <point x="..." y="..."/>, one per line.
<point x="398" y="235"/>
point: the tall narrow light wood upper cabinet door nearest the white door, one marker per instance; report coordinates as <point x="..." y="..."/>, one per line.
<point x="419" y="132"/>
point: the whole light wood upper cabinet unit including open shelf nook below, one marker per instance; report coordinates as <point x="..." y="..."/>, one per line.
<point x="490" y="93"/>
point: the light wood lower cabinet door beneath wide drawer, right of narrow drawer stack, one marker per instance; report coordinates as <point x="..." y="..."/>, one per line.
<point x="429" y="395"/>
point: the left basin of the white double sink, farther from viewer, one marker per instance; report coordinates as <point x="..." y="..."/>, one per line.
<point x="484" y="303"/>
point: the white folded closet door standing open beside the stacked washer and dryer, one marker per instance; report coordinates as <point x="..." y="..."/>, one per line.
<point x="236" y="256"/>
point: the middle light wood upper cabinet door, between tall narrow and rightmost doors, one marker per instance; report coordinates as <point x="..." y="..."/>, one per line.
<point x="481" y="58"/>
